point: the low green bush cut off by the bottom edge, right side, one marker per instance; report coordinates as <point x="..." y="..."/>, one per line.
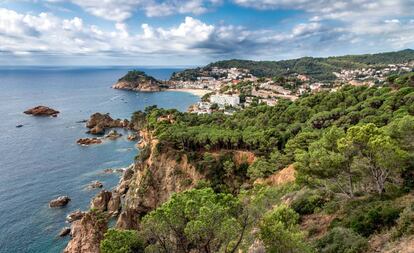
<point x="342" y="240"/>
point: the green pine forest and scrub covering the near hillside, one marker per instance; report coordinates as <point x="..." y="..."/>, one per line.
<point x="353" y="151"/>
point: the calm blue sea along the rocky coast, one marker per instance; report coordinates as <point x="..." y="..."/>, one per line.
<point x="41" y="160"/>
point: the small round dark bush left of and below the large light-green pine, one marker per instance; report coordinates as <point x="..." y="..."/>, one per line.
<point x="307" y="202"/>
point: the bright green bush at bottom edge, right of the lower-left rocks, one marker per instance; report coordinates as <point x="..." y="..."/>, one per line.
<point x="121" y="241"/>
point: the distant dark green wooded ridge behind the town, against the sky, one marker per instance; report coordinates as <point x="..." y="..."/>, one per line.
<point x="318" y="68"/>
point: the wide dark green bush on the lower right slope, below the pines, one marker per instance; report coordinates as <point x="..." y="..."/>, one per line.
<point x="372" y="217"/>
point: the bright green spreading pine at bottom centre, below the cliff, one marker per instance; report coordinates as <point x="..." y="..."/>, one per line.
<point x="199" y="220"/>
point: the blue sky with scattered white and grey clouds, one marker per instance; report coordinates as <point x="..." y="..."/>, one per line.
<point x="196" y="32"/>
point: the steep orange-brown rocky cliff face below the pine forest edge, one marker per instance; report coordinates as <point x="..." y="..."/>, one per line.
<point x="153" y="181"/>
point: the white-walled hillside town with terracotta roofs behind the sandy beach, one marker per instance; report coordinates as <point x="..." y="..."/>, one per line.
<point x="236" y="88"/>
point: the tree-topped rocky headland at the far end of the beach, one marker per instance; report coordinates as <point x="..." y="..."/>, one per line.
<point x="138" y="81"/>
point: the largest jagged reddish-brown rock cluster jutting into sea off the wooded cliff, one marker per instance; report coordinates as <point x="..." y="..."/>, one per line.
<point x="98" y="122"/>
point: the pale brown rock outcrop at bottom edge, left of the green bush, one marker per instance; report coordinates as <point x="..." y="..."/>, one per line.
<point x="87" y="233"/>
